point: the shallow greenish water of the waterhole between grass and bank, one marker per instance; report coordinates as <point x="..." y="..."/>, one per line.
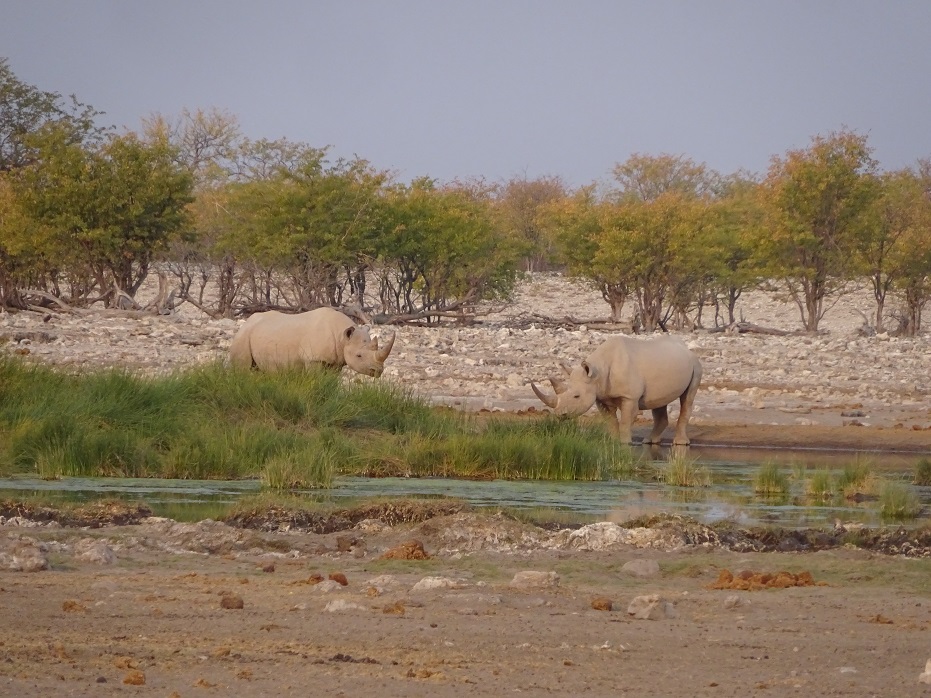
<point x="731" y="496"/>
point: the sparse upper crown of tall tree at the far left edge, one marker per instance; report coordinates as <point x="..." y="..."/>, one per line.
<point x="26" y="110"/>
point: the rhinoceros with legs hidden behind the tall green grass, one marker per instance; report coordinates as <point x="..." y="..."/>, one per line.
<point x="325" y="336"/>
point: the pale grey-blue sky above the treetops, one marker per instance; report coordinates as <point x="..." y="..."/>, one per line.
<point x="500" y="88"/>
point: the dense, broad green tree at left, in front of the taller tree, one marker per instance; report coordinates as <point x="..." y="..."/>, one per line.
<point x="111" y="208"/>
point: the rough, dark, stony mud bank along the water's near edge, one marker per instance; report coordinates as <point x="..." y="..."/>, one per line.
<point x="450" y="524"/>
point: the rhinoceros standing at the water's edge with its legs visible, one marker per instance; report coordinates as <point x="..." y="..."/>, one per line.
<point x="630" y="375"/>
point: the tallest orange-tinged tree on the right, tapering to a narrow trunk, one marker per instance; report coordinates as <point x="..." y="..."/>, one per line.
<point x="815" y="200"/>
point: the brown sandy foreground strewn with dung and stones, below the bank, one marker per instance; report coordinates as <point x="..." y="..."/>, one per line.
<point x="154" y="622"/>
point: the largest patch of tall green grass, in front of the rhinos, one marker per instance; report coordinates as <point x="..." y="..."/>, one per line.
<point x="294" y="429"/>
